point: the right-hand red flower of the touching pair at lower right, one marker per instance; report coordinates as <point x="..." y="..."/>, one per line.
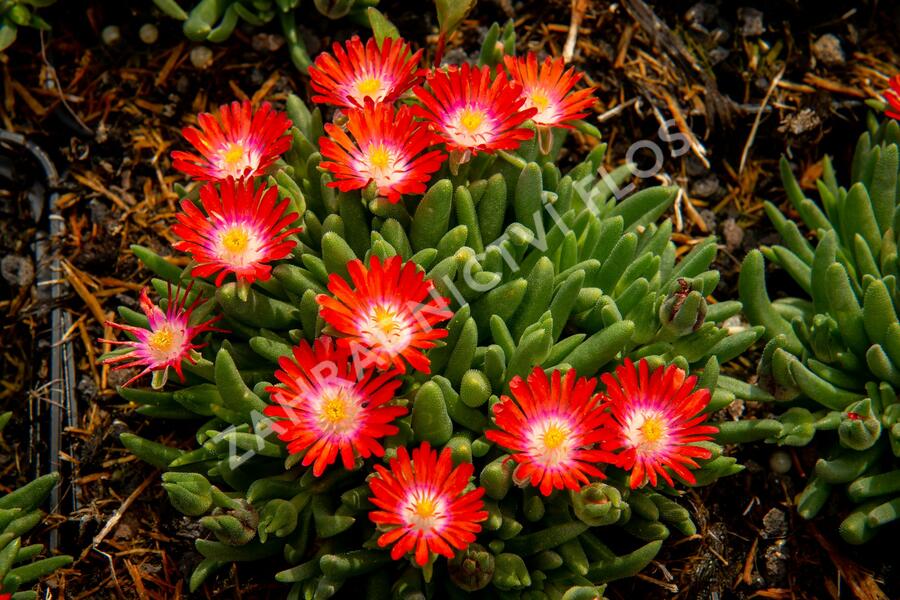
<point x="657" y="422"/>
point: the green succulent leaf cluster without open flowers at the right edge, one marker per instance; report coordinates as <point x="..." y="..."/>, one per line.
<point x="833" y="356"/>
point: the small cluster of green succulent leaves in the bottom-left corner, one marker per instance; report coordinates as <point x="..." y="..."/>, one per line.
<point x="19" y="514"/>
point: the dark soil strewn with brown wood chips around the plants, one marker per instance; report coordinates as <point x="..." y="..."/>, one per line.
<point x="797" y="74"/>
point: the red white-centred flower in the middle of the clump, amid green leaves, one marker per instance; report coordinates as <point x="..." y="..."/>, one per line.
<point x="384" y="317"/>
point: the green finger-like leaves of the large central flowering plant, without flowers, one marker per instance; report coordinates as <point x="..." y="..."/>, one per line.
<point x="590" y="281"/>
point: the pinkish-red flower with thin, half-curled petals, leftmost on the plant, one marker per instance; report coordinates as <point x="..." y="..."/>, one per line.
<point x="168" y="342"/>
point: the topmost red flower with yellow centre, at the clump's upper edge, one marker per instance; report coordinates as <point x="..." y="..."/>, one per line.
<point x="357" y="72"/>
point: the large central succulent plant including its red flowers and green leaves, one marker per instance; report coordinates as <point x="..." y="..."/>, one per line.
<point x="527" y="284"/>
